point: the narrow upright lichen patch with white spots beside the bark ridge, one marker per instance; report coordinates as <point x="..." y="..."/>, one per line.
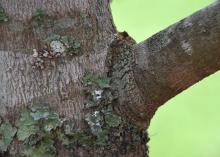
<point x="97" y="119"/>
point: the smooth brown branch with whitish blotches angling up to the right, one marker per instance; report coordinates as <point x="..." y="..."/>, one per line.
<point x="178" y="57"/>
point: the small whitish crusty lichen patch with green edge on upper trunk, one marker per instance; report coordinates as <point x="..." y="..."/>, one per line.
<point x="54" y="47"/>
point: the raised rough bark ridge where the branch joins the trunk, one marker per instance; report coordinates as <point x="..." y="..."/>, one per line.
<point x="121" y="62"/>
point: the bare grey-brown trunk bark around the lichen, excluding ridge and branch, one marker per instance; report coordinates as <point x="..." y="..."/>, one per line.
<point x="58" y="80"/>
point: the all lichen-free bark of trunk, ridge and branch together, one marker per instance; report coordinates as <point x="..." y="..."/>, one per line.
<point x="143" y="76"/>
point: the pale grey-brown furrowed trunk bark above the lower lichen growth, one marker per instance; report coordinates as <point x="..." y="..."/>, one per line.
<point x="89" y="22"/>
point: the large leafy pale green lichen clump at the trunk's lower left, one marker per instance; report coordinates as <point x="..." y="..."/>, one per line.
<point x="36" y="130"/>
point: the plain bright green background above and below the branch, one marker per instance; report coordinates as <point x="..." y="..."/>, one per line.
<point x="189" y="124"/>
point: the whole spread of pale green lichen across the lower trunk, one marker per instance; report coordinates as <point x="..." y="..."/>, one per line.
<point x="38" y="129"/>
